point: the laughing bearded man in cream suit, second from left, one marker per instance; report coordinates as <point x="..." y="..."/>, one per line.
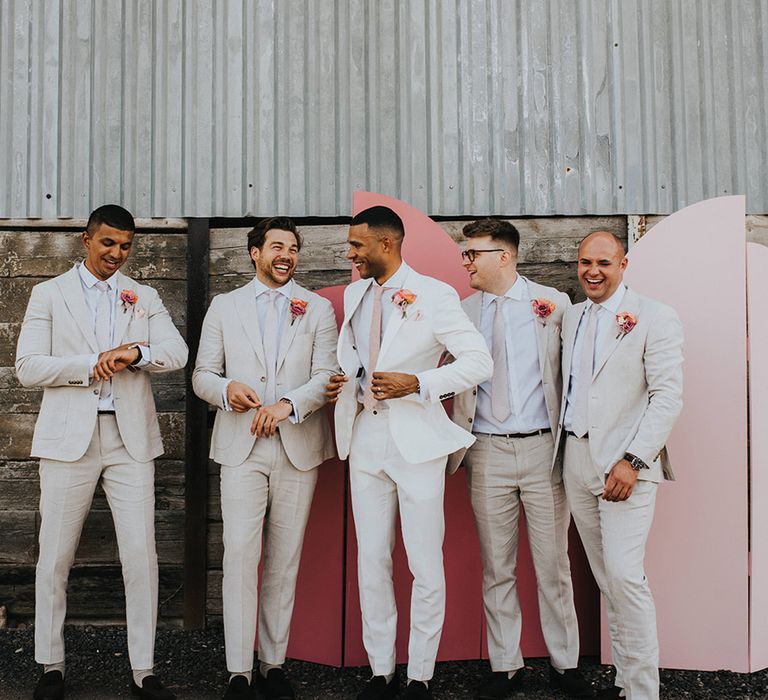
<point x="266" y="353"/>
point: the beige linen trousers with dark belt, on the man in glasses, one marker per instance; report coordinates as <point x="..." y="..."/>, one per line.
<point x="501" y="473"/>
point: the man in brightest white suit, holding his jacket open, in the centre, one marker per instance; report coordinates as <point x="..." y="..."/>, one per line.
<point x="389" y="420"/>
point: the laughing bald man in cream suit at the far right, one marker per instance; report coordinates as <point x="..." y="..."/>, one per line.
<point x="622" y="365"/>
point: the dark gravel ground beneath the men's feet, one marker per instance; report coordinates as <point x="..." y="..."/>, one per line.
<point x="192" y="664"/>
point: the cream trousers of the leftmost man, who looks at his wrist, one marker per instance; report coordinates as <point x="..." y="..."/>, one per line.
<point x="66" y="492"/>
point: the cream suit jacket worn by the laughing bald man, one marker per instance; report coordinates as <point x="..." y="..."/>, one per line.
<point x="637" y="386"/>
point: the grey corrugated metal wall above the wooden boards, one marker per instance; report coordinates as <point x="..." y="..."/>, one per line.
<point x="518" y="107"/>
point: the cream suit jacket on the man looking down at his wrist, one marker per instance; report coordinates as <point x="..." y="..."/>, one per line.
<point x="54" y="351"/>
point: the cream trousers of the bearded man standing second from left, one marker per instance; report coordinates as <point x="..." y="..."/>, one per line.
<point x="266" y="493"/>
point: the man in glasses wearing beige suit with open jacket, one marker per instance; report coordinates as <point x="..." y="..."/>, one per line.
<point x="514" y="416"/>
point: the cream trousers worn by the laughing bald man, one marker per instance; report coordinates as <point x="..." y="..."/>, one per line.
<point x="614" y="537"/>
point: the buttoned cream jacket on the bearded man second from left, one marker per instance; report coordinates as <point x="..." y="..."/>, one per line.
<point x="231" y="348"/>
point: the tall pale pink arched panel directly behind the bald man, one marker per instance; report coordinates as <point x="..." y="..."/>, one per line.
<point x="697" y="554"/>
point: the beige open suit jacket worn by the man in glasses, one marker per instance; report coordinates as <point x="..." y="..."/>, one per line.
<point x="548" y="344"/>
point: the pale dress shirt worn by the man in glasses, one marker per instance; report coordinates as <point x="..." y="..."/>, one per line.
<point x="526" y="393"/>
